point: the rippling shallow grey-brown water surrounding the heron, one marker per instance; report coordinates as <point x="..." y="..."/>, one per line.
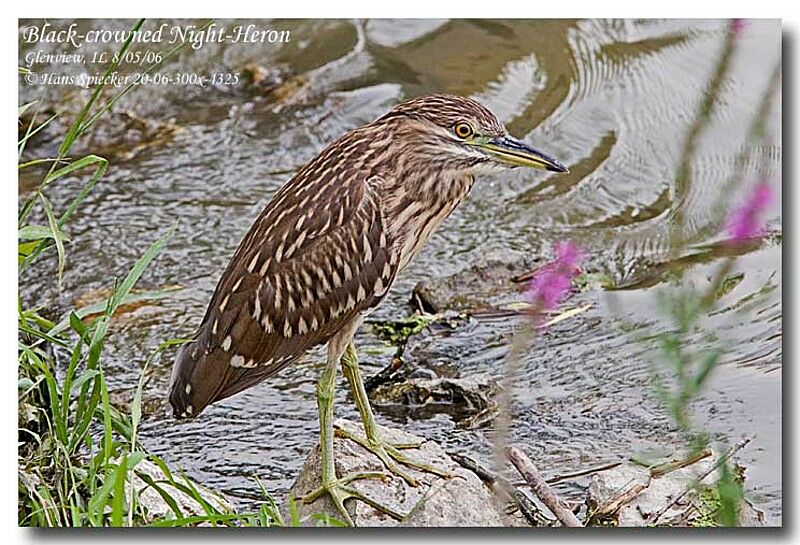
<point x="613" y="100"/>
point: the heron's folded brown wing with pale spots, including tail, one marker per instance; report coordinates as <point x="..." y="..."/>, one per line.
<point x="314" y="259"/>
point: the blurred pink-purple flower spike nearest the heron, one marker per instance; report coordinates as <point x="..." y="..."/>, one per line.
<point x="552" y="282"/>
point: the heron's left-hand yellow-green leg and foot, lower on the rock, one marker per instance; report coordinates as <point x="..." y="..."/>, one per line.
<point x="332" y="485"/>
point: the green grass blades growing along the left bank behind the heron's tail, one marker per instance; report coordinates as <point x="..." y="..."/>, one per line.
<point x="80" y="461"/>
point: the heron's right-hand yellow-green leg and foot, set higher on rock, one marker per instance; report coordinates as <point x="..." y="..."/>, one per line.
<point x="389" y="454"/>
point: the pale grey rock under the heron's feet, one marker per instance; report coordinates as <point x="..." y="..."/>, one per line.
<point x="461" y="500"/>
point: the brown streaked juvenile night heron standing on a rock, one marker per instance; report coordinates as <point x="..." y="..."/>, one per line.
<point x="327" y="248"/>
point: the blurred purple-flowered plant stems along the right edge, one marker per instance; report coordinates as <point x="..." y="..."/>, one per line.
<point x="687" y="354"/>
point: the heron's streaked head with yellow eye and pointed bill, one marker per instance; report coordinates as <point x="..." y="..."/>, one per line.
<point x="459" y="134"/>
